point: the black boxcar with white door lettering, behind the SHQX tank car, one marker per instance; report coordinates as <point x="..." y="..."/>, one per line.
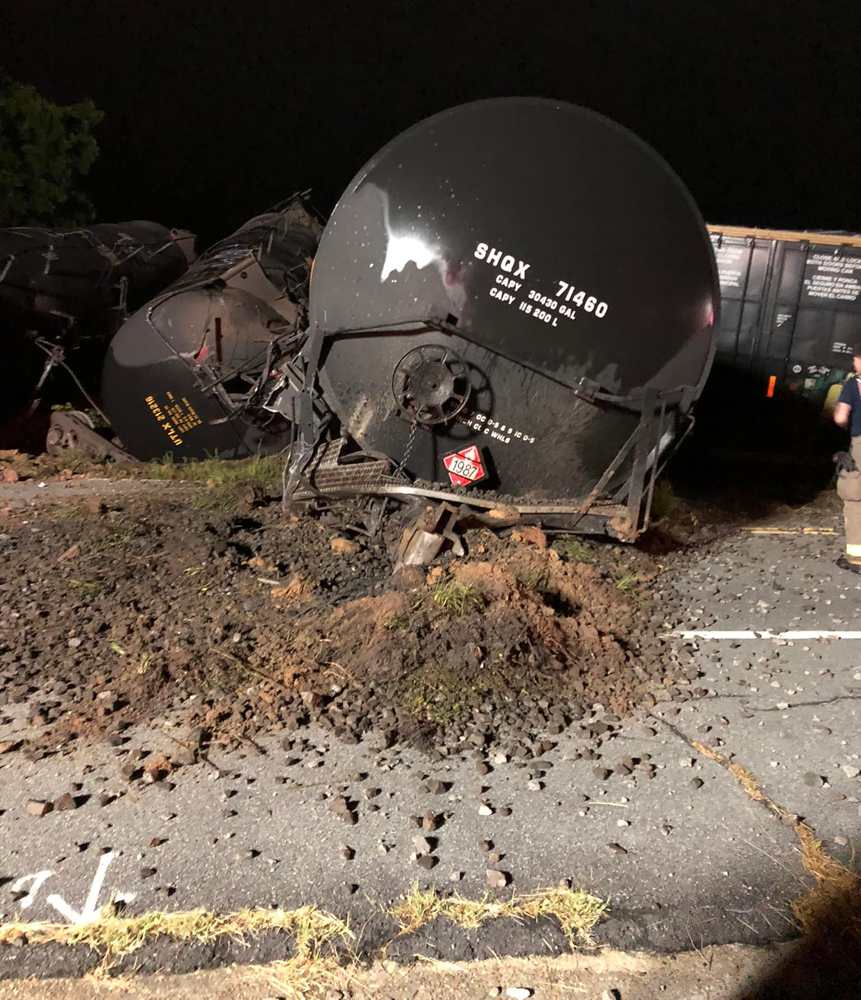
<point x="790" y="315"/>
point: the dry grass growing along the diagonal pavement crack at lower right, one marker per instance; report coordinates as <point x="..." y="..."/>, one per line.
<point x="835" y="900"/>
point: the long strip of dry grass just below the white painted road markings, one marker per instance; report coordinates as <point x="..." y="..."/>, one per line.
<point x="114" y="936"/>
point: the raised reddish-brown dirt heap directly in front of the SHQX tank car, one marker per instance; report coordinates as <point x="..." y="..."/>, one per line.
<point x="483" y="637"/>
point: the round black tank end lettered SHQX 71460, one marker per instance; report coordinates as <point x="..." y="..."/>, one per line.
<point x="552" y="246"/>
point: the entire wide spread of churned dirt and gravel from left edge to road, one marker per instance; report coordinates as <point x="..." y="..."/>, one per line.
<point x="236" y="619"/>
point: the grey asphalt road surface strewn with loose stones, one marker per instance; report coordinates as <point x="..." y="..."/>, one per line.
<point x="686" y="857"/>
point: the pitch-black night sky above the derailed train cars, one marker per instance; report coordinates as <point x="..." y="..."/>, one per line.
<point x="214" y="111"/>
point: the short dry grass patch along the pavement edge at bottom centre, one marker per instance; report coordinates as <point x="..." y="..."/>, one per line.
<point x="577" y="912"/>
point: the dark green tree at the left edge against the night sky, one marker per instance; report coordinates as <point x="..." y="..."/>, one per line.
<point x="45" y="150"/>
